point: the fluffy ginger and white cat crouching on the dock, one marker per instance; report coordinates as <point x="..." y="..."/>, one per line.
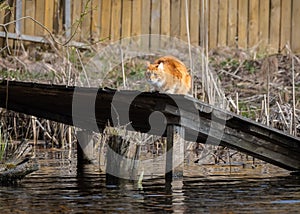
<point x="168" y="74"/>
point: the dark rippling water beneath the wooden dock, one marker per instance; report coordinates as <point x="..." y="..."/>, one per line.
<point x="58" y="188"/>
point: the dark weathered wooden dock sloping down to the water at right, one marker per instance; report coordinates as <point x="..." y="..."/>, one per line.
<point x="202" y="123"/>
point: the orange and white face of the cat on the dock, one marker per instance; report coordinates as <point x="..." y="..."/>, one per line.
<point x="155" y="74"/>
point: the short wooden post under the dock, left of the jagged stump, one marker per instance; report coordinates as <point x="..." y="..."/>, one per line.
<point x="85" y="147"/>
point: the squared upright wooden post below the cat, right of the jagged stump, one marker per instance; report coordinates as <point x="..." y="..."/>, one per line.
<point x="175" y="153"/>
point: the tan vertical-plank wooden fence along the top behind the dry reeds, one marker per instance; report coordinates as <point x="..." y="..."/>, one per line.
<point x="269" y="24"/>
